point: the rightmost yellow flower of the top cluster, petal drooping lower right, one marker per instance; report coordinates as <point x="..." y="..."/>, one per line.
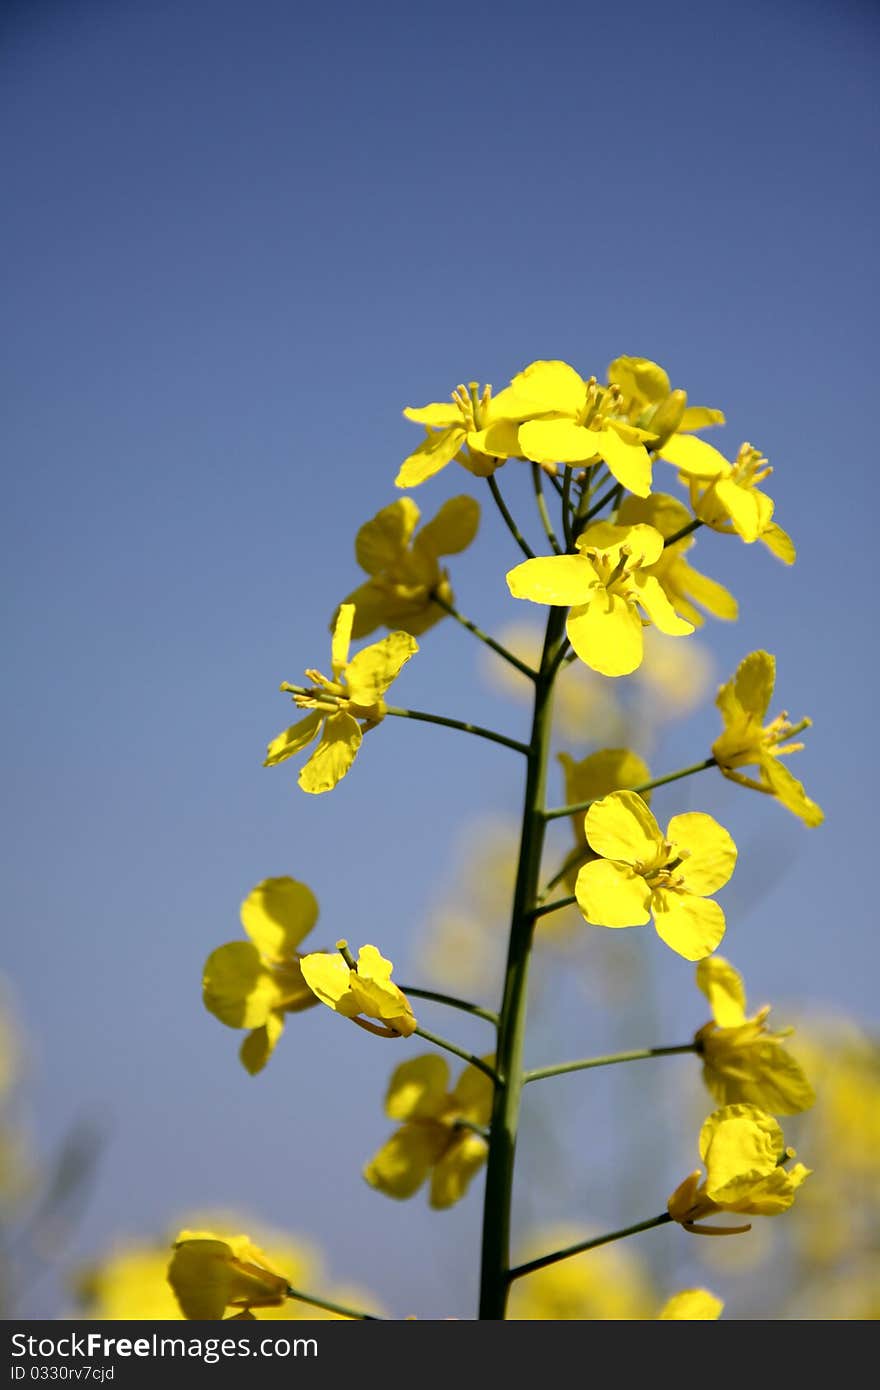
<point x="726" y="496"/>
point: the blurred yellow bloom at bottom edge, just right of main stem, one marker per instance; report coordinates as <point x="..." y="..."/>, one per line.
<point x="605" y="1285"/>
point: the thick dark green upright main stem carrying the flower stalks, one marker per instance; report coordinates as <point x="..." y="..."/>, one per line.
<point x="512" y="1031"/>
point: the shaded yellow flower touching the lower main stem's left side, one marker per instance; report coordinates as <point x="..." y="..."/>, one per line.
<point x="436" y="1138"/>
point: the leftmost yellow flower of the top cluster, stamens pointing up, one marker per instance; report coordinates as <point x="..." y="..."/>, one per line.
<point x="476" y="429"/>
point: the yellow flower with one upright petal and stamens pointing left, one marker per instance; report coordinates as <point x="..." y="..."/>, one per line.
<point x="344" y="708"/>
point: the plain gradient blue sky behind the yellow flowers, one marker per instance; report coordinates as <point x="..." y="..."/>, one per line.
<point x="238" y="238"/>
